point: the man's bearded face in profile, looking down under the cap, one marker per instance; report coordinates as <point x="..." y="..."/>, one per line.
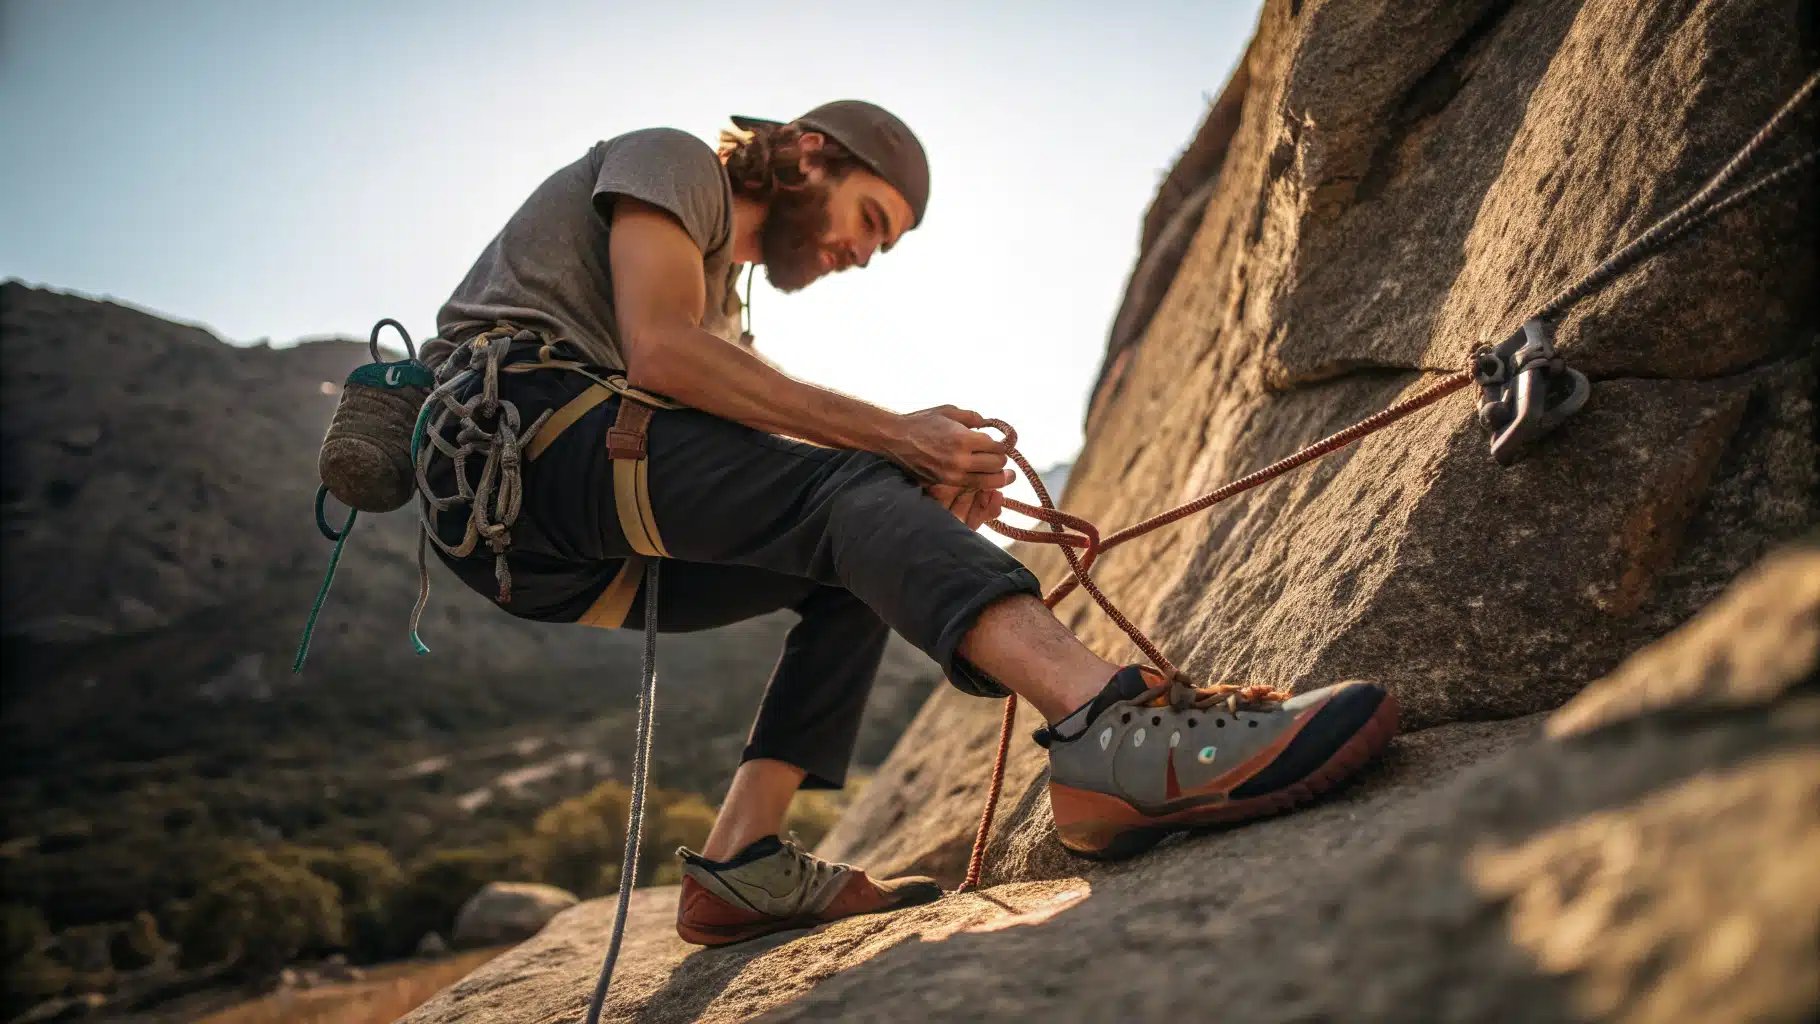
<point x="829" y="225"/>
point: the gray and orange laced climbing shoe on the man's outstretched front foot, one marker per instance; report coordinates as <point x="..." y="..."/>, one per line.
<point x="1151" y="758"/>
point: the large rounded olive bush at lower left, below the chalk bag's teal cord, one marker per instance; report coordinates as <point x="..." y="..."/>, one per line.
<point x="259" y="914"/>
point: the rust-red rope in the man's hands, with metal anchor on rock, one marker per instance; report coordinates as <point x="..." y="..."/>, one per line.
<point x="1528" y="390"/>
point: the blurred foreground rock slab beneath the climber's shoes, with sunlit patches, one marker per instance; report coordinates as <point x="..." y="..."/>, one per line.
<point x="1650" y="852"/>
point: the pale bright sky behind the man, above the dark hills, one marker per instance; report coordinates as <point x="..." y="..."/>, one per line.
<point x="281" y="172"/>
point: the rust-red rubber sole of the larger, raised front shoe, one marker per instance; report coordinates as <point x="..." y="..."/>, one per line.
<point x="1107" y="828"/>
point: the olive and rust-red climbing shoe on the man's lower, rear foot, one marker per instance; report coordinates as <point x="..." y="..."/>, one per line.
<point x="774" y="887"/>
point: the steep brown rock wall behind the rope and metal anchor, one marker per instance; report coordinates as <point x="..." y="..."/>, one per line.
<point x="1380" y="190"/>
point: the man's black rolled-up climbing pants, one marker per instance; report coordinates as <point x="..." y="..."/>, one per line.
<point x="753" y="523"/>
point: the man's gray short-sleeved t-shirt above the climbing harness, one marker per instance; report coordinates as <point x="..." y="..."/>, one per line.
<point x="549" y="266"/>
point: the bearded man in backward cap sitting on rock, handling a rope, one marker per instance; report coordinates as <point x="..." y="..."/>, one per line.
<point x="627" y="263"/>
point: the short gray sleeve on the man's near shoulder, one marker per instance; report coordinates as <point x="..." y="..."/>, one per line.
<point x="671" y="170"/>
